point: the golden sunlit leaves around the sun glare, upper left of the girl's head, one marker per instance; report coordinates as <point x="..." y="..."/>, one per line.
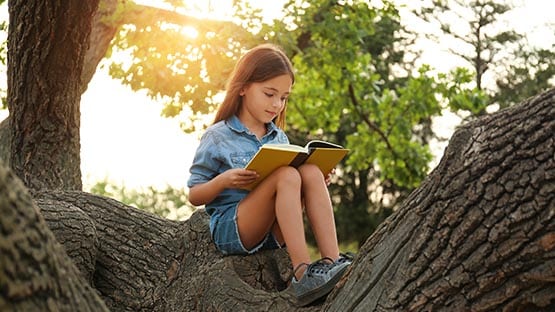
<point x="179" y="60"/>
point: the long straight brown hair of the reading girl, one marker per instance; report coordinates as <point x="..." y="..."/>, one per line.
<point x="261" y="63"/>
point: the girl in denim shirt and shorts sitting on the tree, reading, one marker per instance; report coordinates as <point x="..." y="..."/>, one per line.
<point x="271" y="215"/>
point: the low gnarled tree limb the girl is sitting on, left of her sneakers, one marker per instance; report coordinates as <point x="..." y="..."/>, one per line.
<point x="146" y="263"/>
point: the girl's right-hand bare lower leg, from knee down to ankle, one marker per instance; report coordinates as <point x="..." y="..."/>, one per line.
<point x="319" y="210"/>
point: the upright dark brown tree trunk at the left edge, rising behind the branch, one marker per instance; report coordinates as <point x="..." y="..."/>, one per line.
<point x="47" y="42"/>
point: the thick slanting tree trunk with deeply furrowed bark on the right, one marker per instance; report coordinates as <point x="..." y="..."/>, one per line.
<point x="479" y="234"/>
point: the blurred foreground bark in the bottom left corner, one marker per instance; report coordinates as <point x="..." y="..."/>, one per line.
<point x="35" y="272"/>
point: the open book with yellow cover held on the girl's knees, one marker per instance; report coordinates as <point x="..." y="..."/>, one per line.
<point x="272" y="156"/>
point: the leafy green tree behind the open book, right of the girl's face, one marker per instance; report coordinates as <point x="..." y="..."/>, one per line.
<point x="356" y="86"/>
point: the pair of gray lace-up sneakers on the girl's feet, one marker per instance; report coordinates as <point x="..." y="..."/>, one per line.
<point x="317" y="281"/>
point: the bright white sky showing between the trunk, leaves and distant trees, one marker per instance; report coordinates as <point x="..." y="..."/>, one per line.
<point x="124" y="139"/>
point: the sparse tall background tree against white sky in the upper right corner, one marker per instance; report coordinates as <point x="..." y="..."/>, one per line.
<point x="478" y="34"/>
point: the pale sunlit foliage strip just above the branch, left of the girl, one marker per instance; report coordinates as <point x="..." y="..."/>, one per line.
<point x="170" y="203"/>
